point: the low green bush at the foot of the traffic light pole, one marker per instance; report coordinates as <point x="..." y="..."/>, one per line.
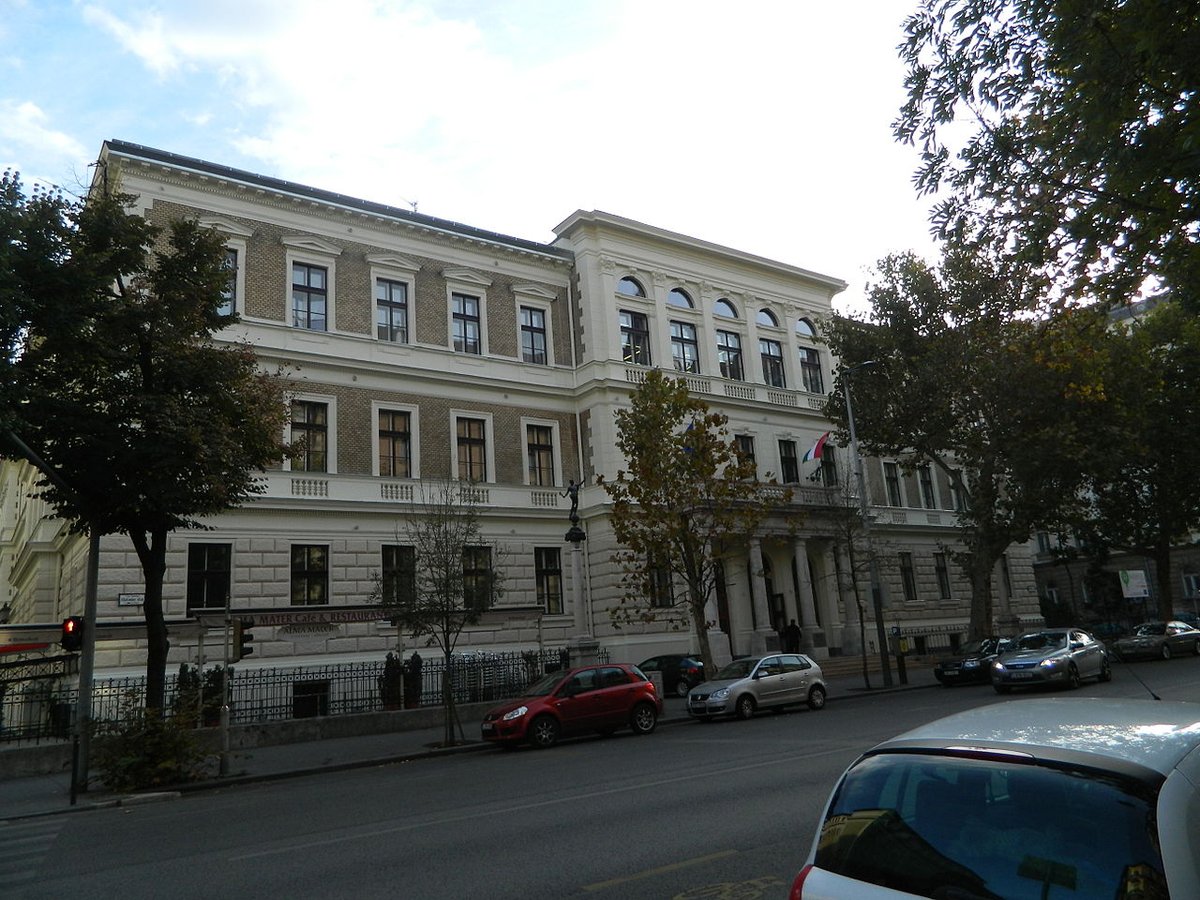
<point x="145" y="751"/>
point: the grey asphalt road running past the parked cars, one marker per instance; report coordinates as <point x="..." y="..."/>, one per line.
<point x="722" y="812"/>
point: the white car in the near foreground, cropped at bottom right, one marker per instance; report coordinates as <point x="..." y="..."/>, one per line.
<point x="1039" y="800"/>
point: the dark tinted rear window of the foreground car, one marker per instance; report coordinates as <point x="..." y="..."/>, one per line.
<point x="985" y="830"/>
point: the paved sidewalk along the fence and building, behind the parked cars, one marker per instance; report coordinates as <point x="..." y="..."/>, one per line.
<point x="46" y="795"/>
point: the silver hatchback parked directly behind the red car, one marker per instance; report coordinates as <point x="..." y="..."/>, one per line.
<point x="759" y="683"/>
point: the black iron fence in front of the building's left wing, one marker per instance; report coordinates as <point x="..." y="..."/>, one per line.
<point x="43" y="712"/>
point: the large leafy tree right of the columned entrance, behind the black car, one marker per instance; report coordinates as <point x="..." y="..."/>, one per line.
<point x="963" y="380"/>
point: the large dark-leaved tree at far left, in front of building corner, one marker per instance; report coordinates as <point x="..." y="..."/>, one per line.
<point x="115" y="380"/>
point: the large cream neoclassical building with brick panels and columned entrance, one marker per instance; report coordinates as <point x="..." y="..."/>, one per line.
<point x="422" y="350"/>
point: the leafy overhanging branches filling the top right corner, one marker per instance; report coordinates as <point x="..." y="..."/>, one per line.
<point x="1082" y="122"/>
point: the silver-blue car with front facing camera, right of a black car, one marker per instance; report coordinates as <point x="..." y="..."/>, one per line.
<point x="1059" y="657"/>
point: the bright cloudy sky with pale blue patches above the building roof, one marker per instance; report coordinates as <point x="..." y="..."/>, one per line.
<point x="763" y="127"/>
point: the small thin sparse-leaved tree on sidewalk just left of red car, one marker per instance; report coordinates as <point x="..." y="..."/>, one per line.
<point x="451" y="580"/>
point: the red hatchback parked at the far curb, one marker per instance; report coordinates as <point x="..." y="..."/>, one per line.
<point x="590" y="699"/>
